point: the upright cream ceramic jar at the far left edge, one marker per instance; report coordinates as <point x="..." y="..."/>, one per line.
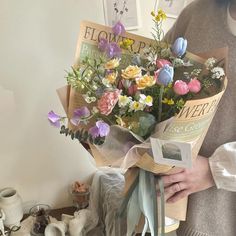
<point x="11" y="205"/>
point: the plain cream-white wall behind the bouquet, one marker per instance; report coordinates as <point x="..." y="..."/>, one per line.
<point x="37" y="43"/>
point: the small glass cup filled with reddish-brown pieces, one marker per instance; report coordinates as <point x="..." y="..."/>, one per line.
<point x="80" y="195"/>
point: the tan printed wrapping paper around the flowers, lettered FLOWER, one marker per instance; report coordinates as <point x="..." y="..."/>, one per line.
<point x="130" y="150"/>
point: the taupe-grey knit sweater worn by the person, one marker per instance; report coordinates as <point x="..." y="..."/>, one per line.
<point x="211" y="212"/>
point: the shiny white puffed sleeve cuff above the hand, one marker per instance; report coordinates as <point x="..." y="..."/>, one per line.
<point x="223" y="166"/>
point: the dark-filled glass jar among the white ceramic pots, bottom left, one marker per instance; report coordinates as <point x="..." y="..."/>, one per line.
<point x="40" y="214"/>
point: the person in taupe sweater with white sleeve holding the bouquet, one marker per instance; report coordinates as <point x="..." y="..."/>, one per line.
<point x="208" y="25"/>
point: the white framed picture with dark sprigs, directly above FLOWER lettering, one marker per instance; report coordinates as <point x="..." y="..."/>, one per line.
<point x="127" y="11"/>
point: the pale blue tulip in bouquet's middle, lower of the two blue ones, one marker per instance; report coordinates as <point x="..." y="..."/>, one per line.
<point x="165" y="75"/>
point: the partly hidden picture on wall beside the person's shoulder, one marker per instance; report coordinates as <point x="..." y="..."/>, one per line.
<point x="172" y="8"/>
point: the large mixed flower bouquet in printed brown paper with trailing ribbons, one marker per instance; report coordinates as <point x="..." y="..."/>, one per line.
<point x="123" y="96"/>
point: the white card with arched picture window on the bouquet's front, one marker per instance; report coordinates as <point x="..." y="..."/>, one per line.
<point x="173" y="153"/>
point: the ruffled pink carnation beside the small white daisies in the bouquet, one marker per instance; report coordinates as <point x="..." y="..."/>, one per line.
<point x="107" y="102"/>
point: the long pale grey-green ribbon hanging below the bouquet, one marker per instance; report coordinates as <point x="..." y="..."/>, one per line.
<point x="142" y="199"/>
